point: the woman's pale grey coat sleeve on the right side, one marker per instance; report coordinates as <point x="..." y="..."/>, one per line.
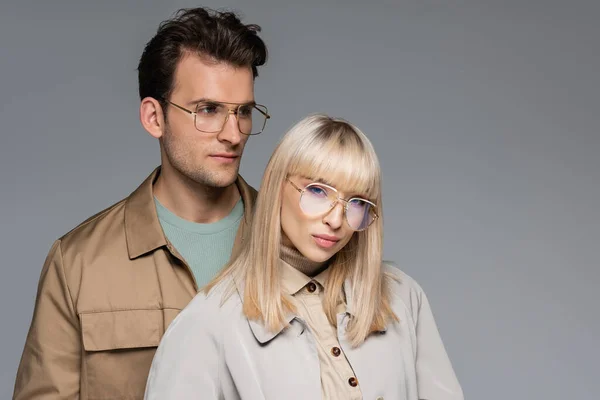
<point x="436" y="379"/>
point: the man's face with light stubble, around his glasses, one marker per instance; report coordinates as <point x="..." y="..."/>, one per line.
<point x="209" y="159"/>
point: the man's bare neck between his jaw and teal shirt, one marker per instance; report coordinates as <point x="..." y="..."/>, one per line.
<point x="193" y="201"/>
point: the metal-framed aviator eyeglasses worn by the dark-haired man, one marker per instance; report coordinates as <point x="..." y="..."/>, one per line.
<point x="211" y="116"/>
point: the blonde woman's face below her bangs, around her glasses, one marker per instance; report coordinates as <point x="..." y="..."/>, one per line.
<point x="319" y="237"/>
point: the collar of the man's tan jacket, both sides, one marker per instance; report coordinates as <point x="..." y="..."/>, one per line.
<point x="143" y="231"/>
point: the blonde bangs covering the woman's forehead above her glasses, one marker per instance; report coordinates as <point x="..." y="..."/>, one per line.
<point x="338" y="156"/>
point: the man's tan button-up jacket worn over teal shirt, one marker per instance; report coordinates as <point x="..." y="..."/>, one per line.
<point x="107" y="292"/>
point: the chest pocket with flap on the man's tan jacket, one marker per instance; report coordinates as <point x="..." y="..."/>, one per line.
<point x="118" y="351"/>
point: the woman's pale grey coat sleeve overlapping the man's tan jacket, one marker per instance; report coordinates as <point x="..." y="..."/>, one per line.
<point x="188" y="360"/>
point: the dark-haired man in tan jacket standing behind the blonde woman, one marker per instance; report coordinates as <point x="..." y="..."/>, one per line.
<point x="111" y="286"/>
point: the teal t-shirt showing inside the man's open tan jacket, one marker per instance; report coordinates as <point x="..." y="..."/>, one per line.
<point x="206" y="248"/>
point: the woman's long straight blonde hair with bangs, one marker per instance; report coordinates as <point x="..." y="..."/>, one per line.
<point x="330" y="150"/>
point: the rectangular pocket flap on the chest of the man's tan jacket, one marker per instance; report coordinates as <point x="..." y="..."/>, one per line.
<point x="126" y="329"/>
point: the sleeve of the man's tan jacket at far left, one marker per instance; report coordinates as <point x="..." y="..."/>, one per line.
<point x="51" y="359"/>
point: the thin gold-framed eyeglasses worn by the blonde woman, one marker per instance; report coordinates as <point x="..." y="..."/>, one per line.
<point x="318" y="199"/>
